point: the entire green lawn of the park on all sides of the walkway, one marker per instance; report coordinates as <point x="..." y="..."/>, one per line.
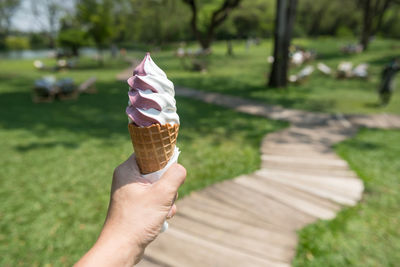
<point x="57" y="159"/>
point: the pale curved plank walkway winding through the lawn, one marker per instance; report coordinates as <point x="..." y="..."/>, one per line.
<point x="252" y="220"/>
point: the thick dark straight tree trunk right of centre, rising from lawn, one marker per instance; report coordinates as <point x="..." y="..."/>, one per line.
<point x="285" y="15"/>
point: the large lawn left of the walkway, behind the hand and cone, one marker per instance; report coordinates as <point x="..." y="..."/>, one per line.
<point x="57" y="159"/>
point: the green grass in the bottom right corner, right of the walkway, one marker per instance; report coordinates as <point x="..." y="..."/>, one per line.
<point x="368" y="234"/>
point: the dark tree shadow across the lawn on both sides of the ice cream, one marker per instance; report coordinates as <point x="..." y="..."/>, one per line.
<point x="103" y="116"/>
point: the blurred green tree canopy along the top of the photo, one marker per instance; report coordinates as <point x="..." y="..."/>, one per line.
<point x="131" y="23"/>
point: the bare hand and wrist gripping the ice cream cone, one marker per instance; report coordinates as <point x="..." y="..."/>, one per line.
<point x="135" y="216"/>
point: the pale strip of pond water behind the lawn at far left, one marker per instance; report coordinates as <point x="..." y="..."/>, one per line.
<point x="43" y="53"/>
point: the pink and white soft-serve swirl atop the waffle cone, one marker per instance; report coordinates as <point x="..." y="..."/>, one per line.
<point x="151" y="96"/>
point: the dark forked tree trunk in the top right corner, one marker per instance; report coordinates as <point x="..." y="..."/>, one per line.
<point x="373" y="13"/>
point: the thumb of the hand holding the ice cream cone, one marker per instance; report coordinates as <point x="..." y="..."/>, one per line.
<point x="172" y="179"/>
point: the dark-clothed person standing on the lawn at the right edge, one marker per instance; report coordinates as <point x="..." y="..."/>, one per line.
<point x="387" y="85"/>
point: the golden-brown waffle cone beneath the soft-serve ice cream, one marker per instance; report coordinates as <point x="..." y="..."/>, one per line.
<point x="154" y="145"/>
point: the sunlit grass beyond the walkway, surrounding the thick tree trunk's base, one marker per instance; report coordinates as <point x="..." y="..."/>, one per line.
<point x="245" y="74"/>
